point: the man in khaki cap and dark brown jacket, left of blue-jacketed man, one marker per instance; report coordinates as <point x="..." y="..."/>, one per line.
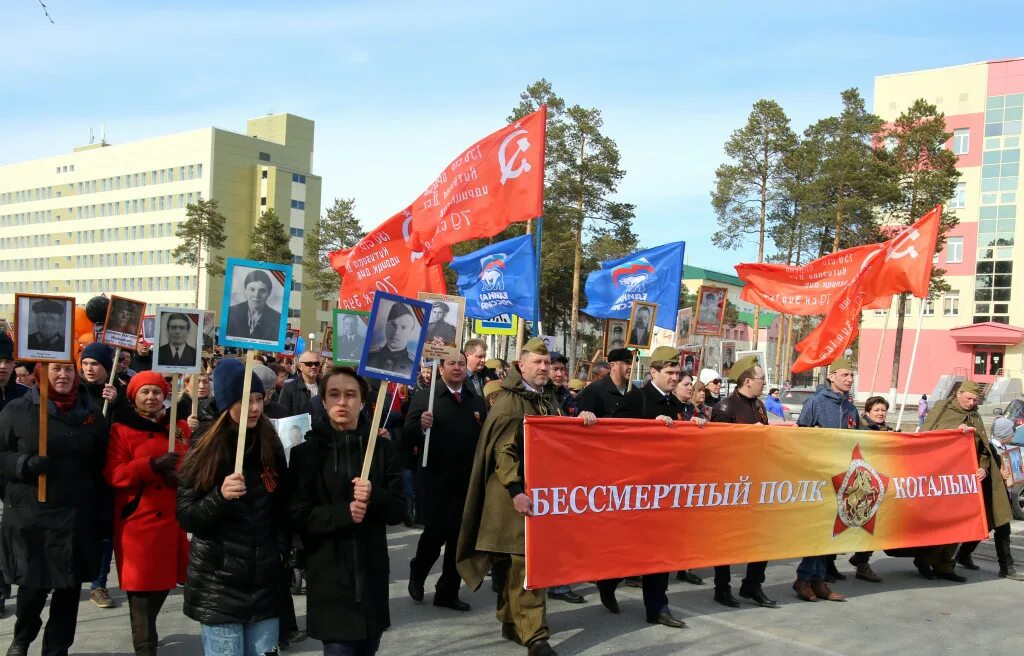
<point x="743" y="407"/>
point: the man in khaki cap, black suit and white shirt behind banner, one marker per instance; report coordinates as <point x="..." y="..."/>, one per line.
<point x="654" y="402"/>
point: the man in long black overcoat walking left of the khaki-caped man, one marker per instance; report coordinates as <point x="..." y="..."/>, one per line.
<point x="455" y="425"/>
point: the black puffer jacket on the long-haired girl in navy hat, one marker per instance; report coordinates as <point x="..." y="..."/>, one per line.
<point x="236" y="566"/>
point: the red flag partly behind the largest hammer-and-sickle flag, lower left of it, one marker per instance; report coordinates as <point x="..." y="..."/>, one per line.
<point x="382" y="261"/>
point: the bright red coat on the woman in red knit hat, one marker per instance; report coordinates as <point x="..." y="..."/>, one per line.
<point x="152" y="550"/>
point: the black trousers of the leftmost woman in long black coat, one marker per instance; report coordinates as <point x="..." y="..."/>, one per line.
<point x="60" y="633"/>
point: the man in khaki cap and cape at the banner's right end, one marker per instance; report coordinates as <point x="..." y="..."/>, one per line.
<point x="962" y="413"/>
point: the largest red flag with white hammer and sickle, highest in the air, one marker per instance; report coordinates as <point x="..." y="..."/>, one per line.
<point x="497" y="182"/>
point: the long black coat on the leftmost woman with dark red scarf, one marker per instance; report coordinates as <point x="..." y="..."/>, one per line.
<point x="52" y="545"/>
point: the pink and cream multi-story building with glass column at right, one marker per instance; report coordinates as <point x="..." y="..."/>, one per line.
<point x="974" y="331"/>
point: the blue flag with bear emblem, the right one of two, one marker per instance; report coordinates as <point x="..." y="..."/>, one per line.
<point x="654" y="276"/>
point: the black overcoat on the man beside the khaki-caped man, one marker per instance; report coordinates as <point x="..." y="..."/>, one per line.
<point x="443" y="484"/>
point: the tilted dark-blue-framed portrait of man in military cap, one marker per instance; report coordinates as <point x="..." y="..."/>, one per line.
<point x="395" y="341"/>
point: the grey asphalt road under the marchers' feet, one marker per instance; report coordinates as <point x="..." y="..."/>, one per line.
<point x="904" y="616"/>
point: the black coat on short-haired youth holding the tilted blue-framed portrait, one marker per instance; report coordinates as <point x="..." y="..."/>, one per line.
<point x="348" y="567"/>
